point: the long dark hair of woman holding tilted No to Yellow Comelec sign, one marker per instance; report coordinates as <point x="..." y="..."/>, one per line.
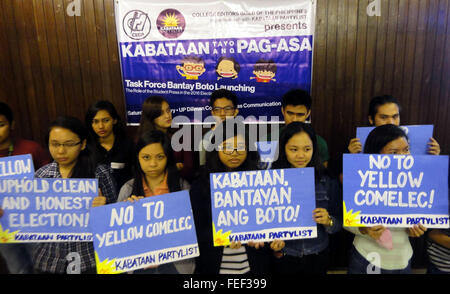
<point x="173" y="177"/>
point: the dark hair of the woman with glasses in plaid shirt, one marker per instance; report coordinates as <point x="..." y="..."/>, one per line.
<point x="85" y="166"/>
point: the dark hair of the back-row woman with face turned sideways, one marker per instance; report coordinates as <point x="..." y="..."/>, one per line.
<point x="151" y="110"/>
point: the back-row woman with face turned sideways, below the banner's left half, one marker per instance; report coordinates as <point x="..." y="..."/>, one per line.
<point x="157" y="115"/>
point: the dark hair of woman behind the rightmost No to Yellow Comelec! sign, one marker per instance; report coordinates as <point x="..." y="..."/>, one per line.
<point x="381" y="136"/>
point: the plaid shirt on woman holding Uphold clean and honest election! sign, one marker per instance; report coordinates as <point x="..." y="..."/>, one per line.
<point x="51" y="257"/>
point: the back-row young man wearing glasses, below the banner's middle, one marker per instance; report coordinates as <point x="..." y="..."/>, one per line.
<point x="223" y="104"/>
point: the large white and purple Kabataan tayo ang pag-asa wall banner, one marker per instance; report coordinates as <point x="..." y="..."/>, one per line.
<point x="184" y="50"/>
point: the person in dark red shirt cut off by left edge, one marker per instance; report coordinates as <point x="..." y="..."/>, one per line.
<point x="17" y="256"/>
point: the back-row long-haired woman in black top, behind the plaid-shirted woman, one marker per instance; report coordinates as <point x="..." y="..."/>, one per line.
<point x="108" y="140"/>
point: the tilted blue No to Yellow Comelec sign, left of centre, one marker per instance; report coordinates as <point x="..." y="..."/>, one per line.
<point x="150" y="231"/>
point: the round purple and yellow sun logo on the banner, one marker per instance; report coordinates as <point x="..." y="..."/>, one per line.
<point x="171" y="23"/>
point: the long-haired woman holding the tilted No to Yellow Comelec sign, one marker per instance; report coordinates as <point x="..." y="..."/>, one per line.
<point x="155" y="174"/>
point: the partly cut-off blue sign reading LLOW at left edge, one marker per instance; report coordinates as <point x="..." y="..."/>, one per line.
<point x="19" y="166"/>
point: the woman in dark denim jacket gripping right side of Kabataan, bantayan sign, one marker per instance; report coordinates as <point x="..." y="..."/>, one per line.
<point x="298" y="149"/>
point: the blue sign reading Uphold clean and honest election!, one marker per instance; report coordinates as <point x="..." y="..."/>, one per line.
<point x="46" y="210"/>
